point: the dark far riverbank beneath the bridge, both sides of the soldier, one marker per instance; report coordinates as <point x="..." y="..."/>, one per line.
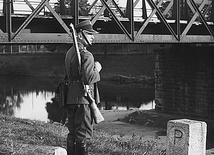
<point x="120" y="68"/>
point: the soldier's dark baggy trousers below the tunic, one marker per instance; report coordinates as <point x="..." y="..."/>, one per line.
<point x="80" y="126"/>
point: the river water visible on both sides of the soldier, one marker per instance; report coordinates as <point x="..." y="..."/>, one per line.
<point x="34" y="98"/>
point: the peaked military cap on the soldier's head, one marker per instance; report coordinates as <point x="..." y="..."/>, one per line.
<point x="86" y="26"/>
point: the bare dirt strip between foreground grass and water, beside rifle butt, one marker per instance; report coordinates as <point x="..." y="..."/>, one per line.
<point x="115" y="125"/>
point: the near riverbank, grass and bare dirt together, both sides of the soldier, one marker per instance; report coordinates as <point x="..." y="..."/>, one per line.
<point x="118" y="136"/>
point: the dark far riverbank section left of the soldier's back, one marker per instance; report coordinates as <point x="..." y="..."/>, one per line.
<point x="35" y="65"/>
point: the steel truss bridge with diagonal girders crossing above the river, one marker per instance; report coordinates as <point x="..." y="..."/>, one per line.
<point x="176" y="16"/>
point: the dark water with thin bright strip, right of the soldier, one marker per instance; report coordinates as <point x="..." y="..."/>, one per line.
<point x="124" y="97"/>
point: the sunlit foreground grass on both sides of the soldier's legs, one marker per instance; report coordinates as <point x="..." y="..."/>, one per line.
<point x="24" y="137"/>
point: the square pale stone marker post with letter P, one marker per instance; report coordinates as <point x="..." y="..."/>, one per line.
<point x="186" y="137"/>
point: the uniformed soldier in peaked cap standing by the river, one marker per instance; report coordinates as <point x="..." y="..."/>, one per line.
<point x="80" y="122"/>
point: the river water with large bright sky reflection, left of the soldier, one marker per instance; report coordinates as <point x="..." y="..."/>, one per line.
<point x="26" y="98"/>
